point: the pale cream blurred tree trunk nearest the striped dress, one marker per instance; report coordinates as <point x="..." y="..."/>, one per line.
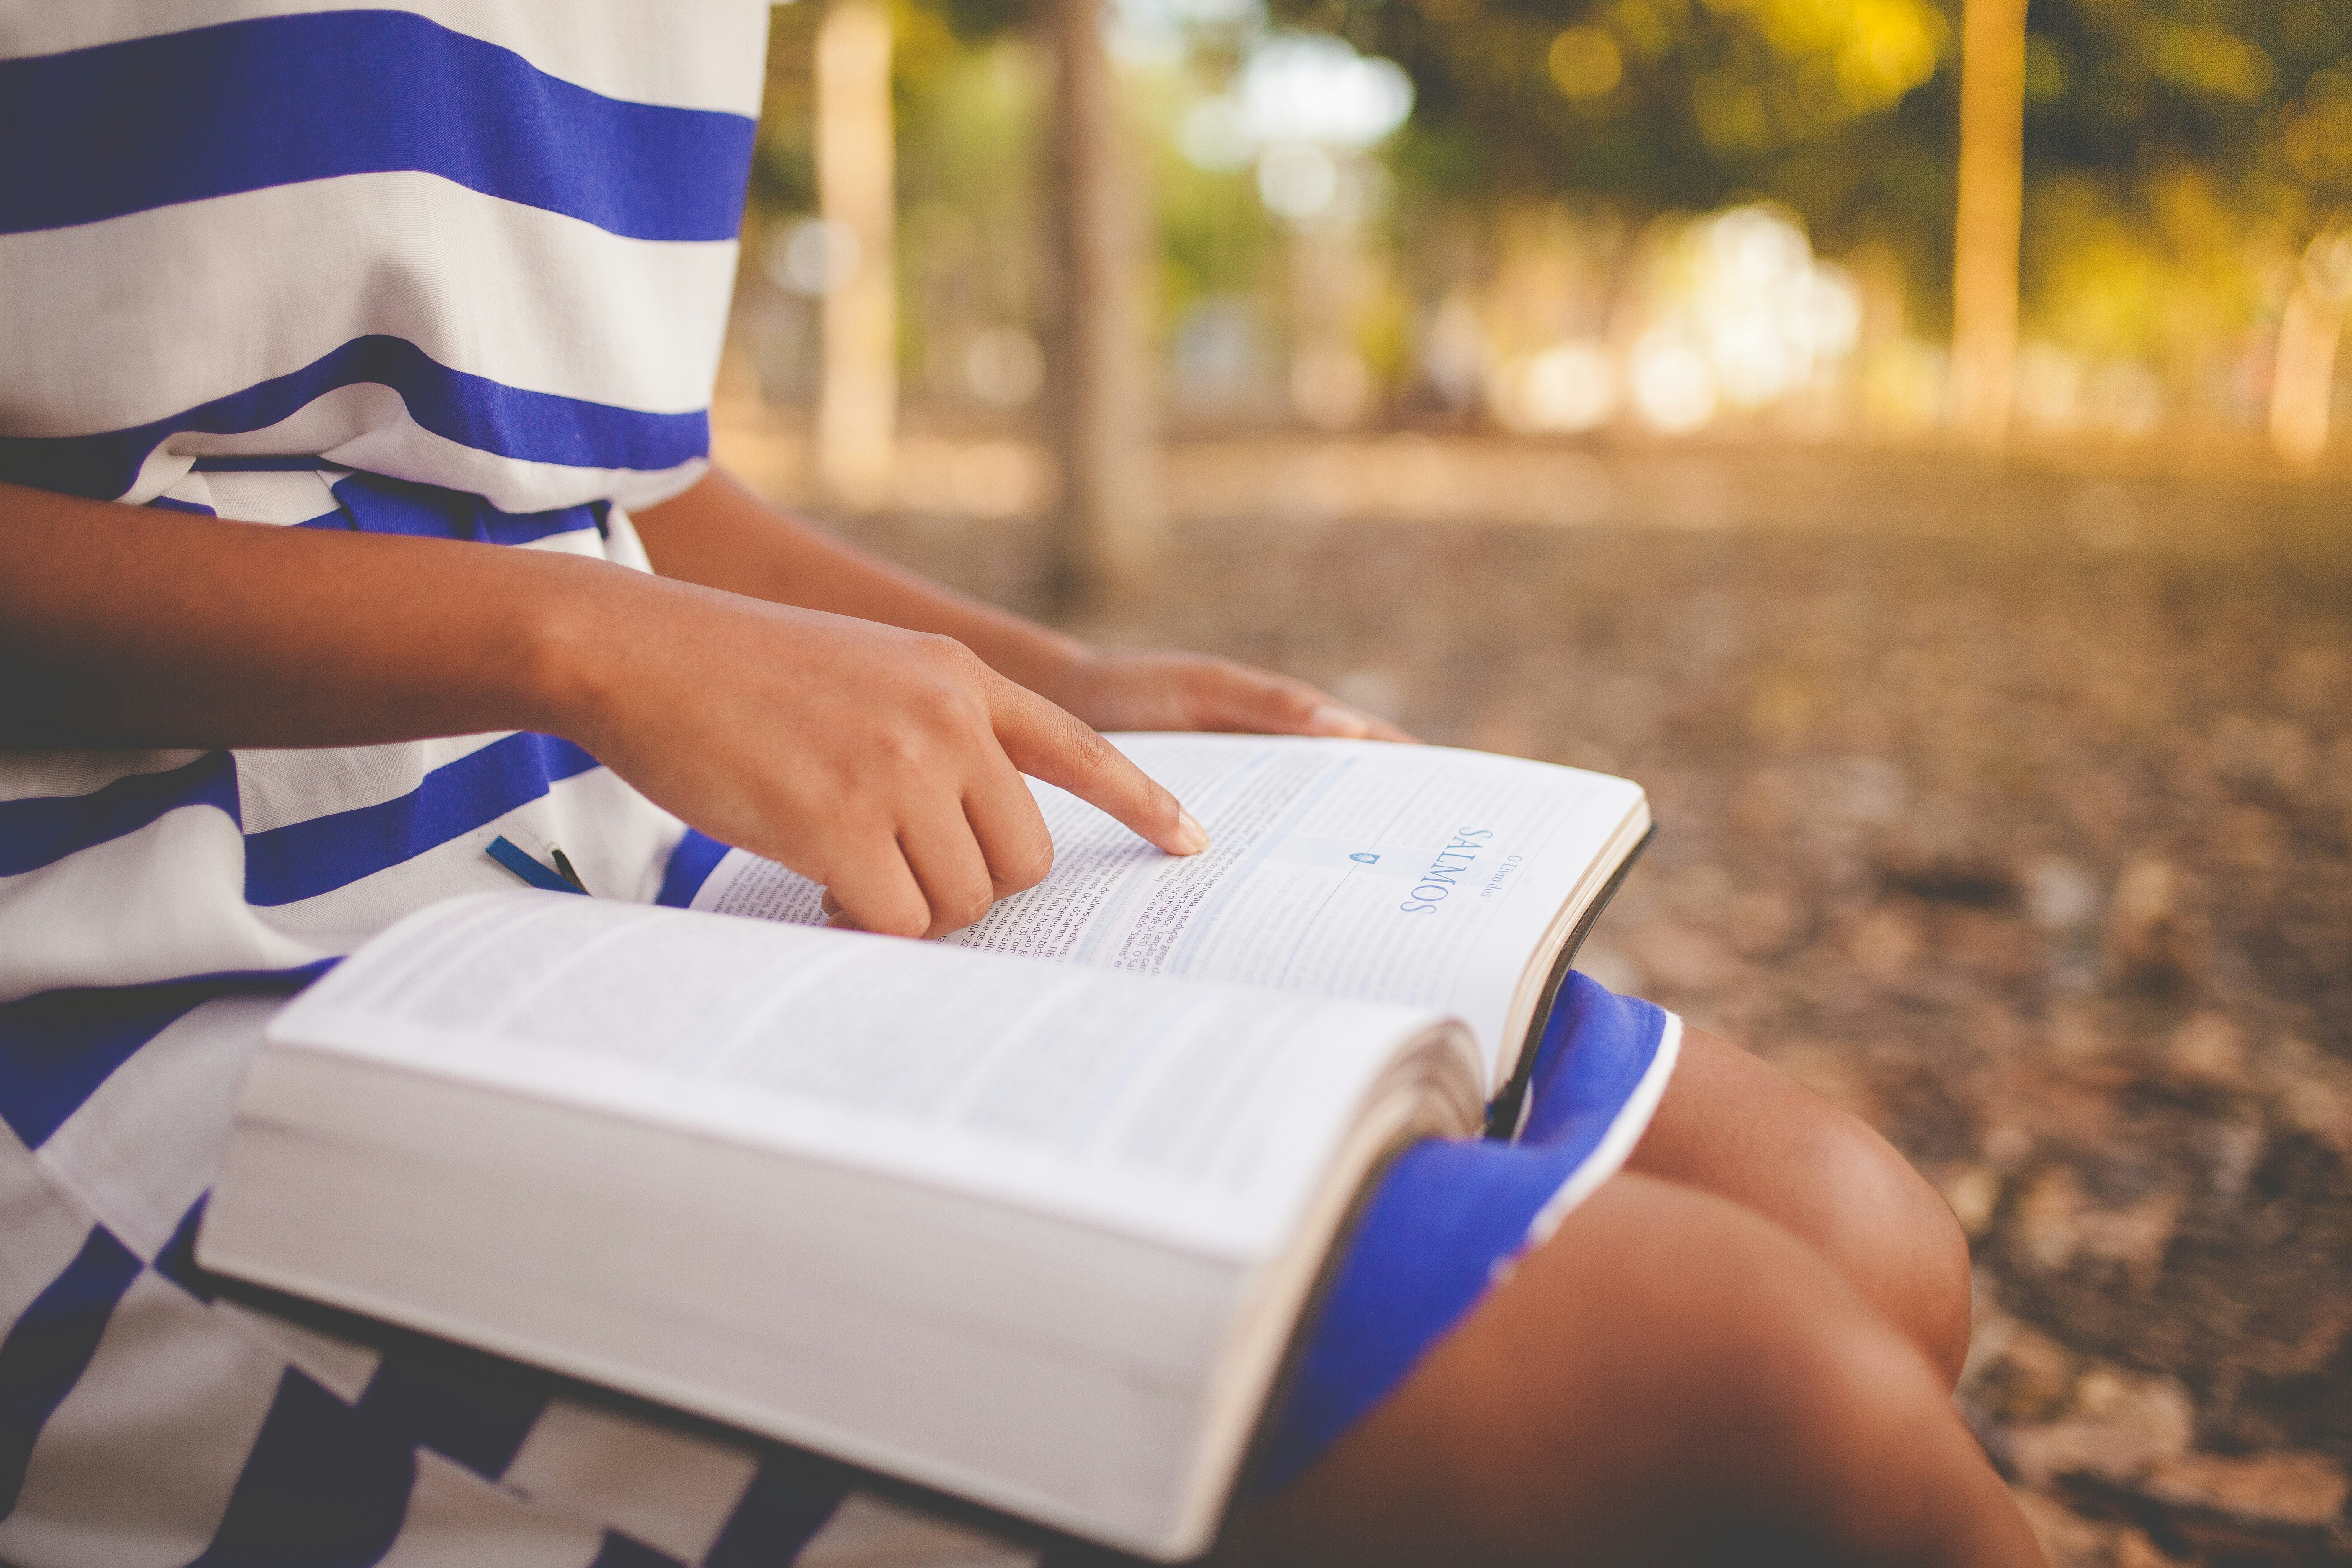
<point x="857" y="410"/>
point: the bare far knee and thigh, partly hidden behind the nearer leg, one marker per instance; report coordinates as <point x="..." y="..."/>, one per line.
<point x="1744" y="1132"/>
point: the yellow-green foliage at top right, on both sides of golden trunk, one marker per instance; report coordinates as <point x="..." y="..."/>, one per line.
<point x="2165" y="138"/>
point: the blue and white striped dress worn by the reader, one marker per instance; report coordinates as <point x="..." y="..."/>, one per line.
<point x="455" y="269"/>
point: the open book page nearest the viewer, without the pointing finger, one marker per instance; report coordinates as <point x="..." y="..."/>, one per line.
<point x="1187" y="1111"/>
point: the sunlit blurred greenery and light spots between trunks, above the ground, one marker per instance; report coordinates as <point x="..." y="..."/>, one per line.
<point x="1645" y="220"/>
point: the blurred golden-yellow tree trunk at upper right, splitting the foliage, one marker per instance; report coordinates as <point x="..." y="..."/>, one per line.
<point x="1991" y="220"/>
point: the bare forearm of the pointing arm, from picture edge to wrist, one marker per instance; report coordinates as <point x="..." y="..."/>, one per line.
<point x="121" y="626"/>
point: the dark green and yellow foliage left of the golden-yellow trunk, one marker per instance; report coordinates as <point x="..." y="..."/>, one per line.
<point x="1840" y="109"/>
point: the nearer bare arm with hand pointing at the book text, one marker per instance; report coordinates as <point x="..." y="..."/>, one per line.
<point x="874" y="760"/>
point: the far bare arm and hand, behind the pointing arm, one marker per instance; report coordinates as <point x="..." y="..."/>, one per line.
<point x="723" y="537"/>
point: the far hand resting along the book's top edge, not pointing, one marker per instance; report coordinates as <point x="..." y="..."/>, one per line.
<point x="1151" y="690"/>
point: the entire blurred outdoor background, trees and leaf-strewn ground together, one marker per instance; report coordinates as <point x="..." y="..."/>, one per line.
<point x="1902" y="434"/>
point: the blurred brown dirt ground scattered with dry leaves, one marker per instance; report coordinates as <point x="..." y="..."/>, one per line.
<point x="2012" y="812"/>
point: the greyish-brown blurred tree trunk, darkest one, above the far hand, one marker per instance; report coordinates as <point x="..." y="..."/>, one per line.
<point x="1100" y="363"/>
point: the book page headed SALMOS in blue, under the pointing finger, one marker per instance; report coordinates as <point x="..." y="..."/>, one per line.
<point x="1339" y="869"/>
